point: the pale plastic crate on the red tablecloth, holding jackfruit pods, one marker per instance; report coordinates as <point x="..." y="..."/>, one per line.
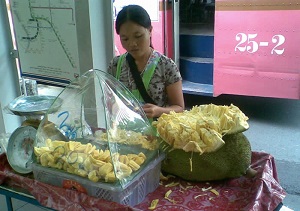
<point x="146" y="181"/>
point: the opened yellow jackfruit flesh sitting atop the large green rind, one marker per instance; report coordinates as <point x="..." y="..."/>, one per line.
<point x="201" y="129"/>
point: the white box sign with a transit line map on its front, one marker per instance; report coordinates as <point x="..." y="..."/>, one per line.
<point x="53" y="39"/>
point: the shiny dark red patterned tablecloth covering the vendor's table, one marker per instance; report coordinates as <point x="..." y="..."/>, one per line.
<point x="263" y="192"/>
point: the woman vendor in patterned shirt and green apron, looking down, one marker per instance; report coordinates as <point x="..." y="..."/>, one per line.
<point x="160" y="75"/>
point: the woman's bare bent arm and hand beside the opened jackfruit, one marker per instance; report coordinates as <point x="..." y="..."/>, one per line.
<point x="175" y="102"/>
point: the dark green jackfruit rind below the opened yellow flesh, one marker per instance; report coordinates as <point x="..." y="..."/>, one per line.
<point x="231" y="161"/>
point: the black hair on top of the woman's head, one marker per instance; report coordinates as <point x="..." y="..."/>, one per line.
<point x="134" y="13"/>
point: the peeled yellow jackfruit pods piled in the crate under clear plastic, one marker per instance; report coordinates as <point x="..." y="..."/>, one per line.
<point x="87" y="161"/>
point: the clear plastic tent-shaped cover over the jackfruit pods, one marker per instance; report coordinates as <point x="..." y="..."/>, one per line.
<point x="99" y="132"/>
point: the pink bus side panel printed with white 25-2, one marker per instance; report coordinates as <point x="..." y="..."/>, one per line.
<point x="257" y="51"/>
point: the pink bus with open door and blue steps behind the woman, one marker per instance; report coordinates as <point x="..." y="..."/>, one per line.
<point x="238" y="47"/>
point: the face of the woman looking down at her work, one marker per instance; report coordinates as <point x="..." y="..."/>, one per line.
<point x="135" y="39"/>
